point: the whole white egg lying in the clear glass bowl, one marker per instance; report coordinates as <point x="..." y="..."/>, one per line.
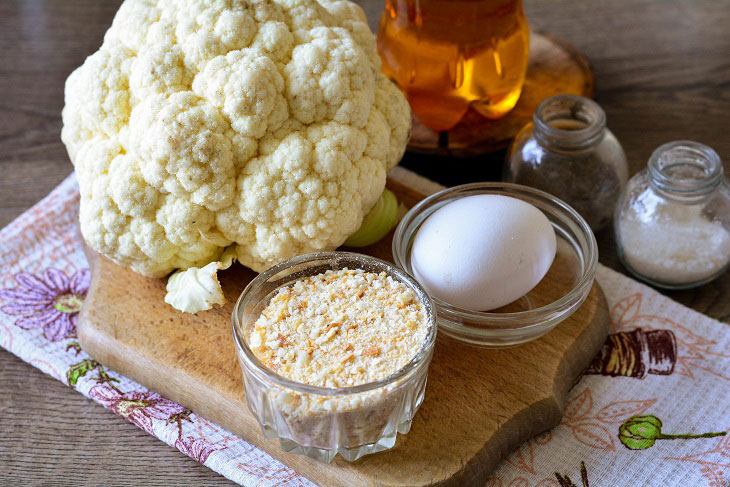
<point x="484" y="251"/>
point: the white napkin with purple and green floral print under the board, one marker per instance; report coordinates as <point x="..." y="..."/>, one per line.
<point x="652" y="411"/>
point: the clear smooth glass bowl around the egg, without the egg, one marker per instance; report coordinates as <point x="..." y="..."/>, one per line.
<point x="557" y="296"/>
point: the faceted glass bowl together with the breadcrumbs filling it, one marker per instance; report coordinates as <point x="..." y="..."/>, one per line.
<point x="334" y="348"/>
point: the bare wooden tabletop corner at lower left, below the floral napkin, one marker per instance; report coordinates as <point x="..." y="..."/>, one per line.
<point x="52" y="435"/>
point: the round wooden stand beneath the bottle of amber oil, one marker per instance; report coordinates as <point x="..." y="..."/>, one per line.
<point x="554" y="68"/>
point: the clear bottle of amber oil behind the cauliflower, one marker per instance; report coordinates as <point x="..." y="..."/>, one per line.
<point x="447" y="55"/>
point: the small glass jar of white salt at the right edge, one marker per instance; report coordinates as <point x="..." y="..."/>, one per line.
<point x="673" y="222"/>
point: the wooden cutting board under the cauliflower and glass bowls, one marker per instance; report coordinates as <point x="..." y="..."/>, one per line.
<point x="480" y="403"/>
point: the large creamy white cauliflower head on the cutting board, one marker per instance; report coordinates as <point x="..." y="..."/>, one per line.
<point x="264" y="126"/>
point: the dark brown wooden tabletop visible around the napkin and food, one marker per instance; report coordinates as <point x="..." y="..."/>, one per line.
<point x="662" y="73"/>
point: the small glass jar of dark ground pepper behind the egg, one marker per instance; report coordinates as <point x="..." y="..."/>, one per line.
<point x="568" y="152"/>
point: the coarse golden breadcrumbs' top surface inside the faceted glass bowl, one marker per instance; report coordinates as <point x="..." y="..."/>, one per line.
<point x="340" y="328"/>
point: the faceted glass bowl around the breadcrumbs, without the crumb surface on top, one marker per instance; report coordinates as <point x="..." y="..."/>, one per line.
<point x="320" y="422"/>
